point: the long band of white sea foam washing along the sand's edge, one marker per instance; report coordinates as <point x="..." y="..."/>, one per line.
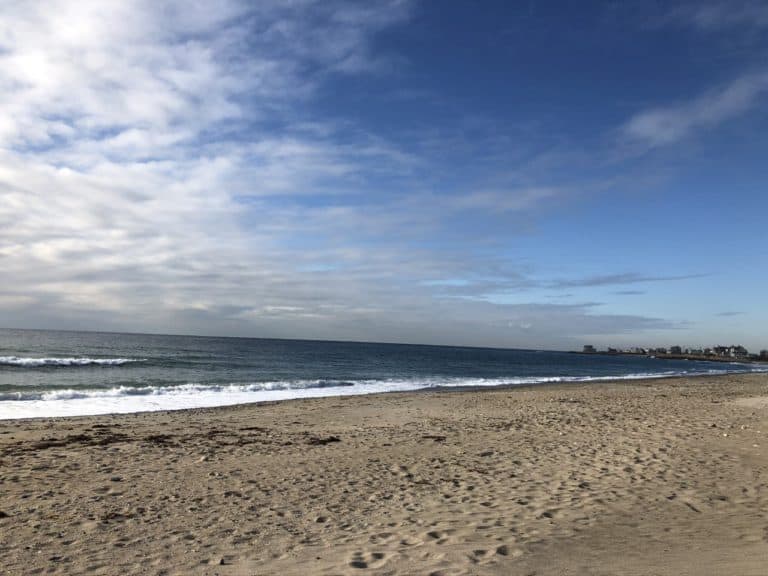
<point x="125" y="399"/>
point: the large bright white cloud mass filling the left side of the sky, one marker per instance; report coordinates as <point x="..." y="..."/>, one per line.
<point x="122" y="159"/>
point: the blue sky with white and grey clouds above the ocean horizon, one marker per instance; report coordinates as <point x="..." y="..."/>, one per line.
<point x="485" y="173"/>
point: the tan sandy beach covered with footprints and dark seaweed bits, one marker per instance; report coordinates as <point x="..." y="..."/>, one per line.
<point x="646" y="477"/>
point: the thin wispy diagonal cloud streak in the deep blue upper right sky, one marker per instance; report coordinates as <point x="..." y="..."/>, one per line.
<point x="659" y="126"/>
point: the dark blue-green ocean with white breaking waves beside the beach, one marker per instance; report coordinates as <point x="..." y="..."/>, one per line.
<point x="58" y="373"/>
